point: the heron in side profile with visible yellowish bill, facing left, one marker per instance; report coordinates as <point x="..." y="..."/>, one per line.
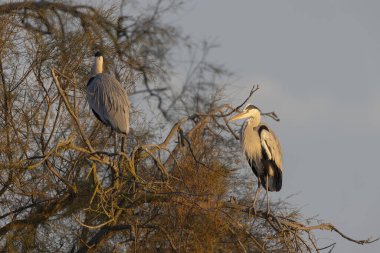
<point x="262" y="150"/>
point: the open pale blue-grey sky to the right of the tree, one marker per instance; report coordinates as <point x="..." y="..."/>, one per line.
<point x="318" y="65"/>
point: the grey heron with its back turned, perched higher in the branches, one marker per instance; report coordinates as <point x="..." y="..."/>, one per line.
<point x="107" y="98"/>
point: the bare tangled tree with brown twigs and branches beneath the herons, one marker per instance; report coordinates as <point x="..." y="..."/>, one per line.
<point x="175" y="186"/>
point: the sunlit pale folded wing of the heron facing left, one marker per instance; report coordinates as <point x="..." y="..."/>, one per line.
<point x="271" y="146"/>
